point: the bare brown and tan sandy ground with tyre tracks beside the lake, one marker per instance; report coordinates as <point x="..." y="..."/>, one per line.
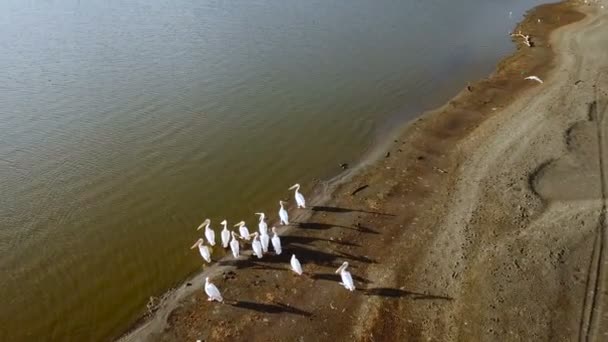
<point x="485" y="221"/>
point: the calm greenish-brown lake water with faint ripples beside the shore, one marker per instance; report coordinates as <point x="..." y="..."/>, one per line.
<point x="124" y="124"/>
